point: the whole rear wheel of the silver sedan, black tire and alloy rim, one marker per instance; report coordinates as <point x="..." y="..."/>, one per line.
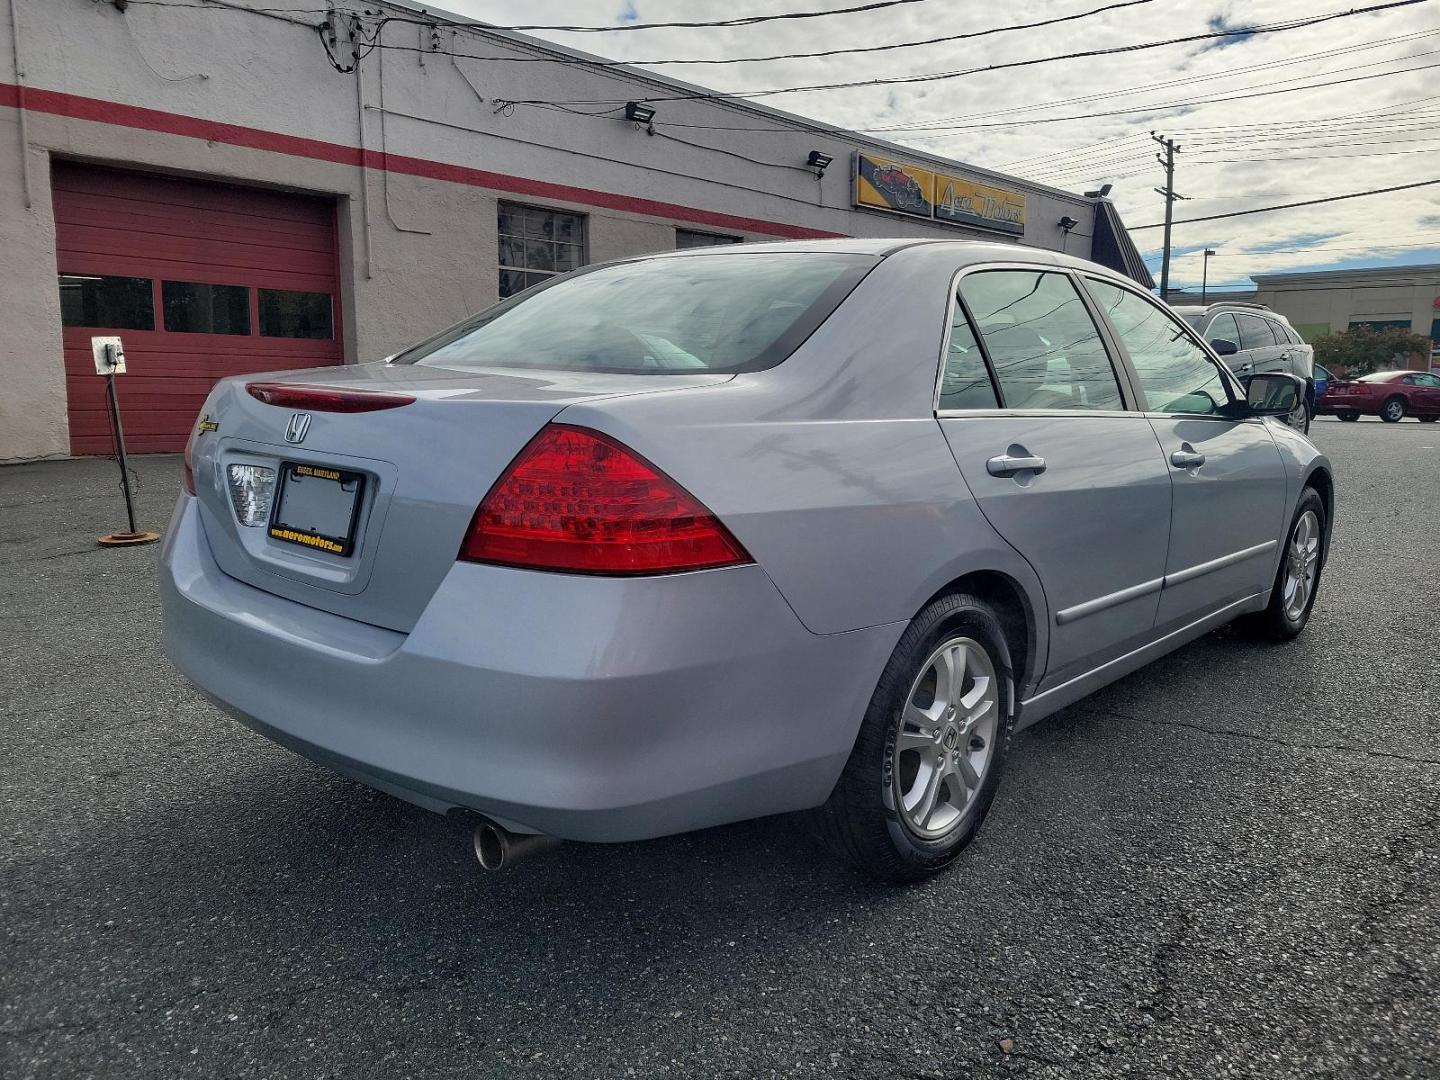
<point x="931" y="750"/>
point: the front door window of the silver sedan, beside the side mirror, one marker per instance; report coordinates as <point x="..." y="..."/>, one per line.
<point x="1176" y="374"/>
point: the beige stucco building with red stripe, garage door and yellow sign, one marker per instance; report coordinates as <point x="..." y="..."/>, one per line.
<point x="251" y="185"/>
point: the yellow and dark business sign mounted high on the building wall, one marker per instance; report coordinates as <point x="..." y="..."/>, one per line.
<point x="886" y="185"/>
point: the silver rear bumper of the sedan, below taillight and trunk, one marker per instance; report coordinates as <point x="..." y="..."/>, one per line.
<point x="594" y="709"/>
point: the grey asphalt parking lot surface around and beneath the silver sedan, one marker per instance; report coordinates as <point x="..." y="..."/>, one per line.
<point x="1222" y="866"/>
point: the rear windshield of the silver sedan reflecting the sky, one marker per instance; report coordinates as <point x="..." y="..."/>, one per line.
<point x="682" y="315"/>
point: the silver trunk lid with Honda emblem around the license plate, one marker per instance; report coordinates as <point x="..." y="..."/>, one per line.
<point x="421" y="470"/>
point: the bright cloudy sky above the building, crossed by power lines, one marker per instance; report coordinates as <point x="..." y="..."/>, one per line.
<point x="1374" y="127"/>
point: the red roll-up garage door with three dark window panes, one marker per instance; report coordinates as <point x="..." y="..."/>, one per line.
<point x="199" y="280"/>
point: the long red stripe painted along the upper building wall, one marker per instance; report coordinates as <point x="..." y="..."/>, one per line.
<point x="257" y="139"/>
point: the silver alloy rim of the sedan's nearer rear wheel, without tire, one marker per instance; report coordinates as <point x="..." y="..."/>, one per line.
<point x="947" y="738"/>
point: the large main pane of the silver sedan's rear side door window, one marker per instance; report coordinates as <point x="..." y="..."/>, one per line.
<point x="1042" y="341"/>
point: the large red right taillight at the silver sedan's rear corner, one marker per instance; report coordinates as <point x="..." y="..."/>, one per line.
<point x="580" y="502"/>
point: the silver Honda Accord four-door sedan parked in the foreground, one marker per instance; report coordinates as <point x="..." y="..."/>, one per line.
<point x="714" y="535"/>
